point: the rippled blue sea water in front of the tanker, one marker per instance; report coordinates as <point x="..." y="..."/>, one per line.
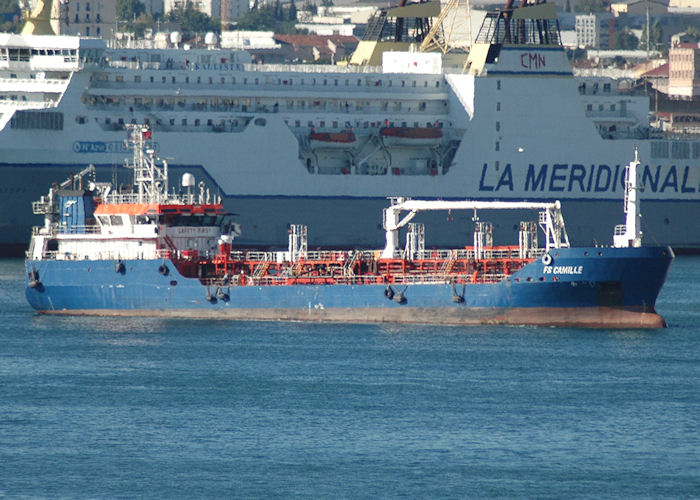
<point x="153" y="408"/>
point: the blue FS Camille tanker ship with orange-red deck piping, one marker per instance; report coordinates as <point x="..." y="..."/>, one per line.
<point x="149" y="250"/>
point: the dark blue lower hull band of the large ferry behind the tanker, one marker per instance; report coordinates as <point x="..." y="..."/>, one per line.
<point x="266" y="219"/>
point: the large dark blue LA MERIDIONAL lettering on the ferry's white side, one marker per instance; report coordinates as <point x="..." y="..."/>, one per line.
<point x="573" y="178"/>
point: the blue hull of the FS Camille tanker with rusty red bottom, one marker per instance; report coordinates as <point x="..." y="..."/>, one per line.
<point x="614" y="287"/>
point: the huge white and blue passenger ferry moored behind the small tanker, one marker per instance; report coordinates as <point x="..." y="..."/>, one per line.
<point x="327" y="144"/>
